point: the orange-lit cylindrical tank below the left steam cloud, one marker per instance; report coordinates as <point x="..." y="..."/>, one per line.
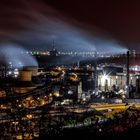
<point x="25" y="75"/>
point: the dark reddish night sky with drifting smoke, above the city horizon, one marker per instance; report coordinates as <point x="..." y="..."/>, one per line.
<point x="72" y="24"/>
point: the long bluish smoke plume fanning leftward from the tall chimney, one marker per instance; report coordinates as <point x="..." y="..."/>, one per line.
<point x="36" y="26"/>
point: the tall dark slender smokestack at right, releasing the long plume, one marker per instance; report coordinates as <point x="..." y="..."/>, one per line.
<point x="127" y="74"/>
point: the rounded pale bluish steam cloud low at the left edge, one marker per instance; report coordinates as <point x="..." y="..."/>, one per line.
<point x="16" y="56"/>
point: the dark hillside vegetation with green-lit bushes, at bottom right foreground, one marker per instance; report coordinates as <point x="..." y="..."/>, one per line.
<point x="114" y="122"/>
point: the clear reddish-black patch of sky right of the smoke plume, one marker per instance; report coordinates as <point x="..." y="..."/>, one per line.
<point x="120" y="18"/>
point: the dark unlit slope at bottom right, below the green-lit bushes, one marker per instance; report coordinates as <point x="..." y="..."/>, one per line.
<point x="123" y="126"/>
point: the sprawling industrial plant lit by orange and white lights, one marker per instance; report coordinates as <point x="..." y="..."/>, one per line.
<point x="32" y="94"/>
